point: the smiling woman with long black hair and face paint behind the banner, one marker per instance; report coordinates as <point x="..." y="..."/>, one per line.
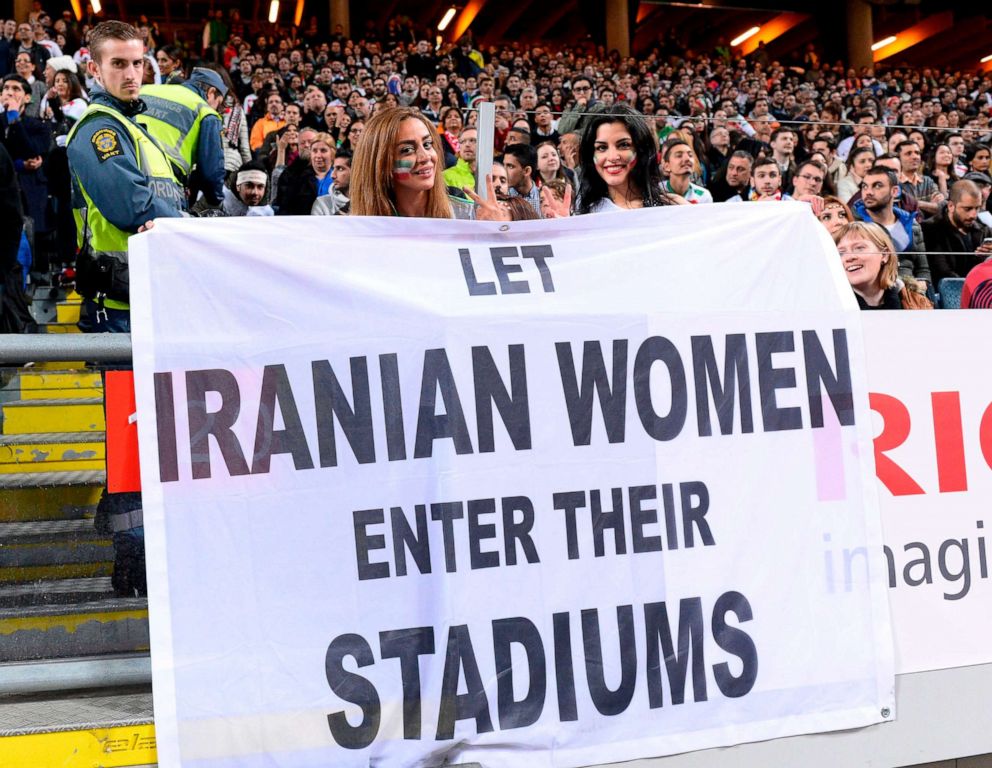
<point x="619" y="158"/>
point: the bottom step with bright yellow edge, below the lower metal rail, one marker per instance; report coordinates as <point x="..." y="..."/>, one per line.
<point x="111" y="729"/>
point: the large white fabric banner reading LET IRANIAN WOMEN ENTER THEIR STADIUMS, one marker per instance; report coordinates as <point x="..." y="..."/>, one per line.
<point x="543" y="493"/>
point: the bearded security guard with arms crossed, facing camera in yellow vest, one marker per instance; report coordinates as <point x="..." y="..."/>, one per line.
<point x="122" y="181"/>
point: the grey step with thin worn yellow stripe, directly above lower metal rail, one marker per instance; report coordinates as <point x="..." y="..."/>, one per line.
<point x="107" y="625"/>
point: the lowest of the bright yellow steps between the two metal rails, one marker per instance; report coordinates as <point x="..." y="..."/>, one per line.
<point x="40" y="452"/>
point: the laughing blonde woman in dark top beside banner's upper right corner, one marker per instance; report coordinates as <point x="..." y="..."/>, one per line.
<point x="872" y="267"/>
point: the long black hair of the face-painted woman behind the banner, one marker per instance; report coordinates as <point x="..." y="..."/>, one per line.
<point x="646" y="173"/>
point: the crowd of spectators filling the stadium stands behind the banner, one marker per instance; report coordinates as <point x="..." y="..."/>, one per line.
<point x="894" y="162"/>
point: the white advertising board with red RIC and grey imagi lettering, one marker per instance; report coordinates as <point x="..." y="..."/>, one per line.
<point x="930" y="392"/>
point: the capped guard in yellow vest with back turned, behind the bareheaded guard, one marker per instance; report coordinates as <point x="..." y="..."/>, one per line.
<point x="183" y="119"/>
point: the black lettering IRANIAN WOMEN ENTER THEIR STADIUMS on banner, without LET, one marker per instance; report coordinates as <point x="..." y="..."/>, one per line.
<point x="598" y="380"/>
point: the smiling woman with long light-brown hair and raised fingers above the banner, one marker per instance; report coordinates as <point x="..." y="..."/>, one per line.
<point x="397" y="167"/>
